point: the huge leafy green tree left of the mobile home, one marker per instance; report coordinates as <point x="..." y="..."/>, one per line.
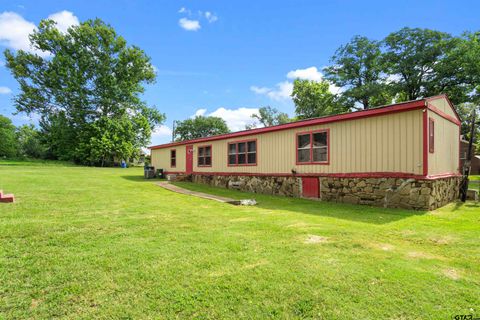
<point x="90" y="82"/>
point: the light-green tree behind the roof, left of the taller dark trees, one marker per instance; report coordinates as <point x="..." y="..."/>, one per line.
<point x="314" y="99"/>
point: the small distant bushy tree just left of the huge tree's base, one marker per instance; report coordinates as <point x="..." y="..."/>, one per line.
<point x="29" y="142"/>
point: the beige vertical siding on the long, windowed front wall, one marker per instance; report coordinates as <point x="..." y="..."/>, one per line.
<point x="388" y="143"/>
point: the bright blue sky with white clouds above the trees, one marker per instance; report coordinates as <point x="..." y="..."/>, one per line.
<point x="228" y="58"/>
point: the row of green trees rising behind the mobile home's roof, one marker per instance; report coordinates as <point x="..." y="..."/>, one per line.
<point x="406" y="65"/>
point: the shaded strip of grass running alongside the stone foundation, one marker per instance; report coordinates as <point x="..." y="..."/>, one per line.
<point x="358" y="213"/>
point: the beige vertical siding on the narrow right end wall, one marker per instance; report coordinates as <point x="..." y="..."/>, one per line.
<point x="445" y="158"/>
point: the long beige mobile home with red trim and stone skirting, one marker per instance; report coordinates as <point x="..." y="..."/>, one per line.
<point x="401" y="155"/>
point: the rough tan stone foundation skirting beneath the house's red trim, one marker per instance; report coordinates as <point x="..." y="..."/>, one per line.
<point x="415" y="194"/>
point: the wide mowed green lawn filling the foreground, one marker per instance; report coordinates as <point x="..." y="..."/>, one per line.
<point x="103" y="243"/>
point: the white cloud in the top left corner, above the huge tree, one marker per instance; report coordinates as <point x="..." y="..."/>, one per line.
<point x="14" y="29"/>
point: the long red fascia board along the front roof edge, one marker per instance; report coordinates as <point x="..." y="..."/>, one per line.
<point x="400" y="107"/>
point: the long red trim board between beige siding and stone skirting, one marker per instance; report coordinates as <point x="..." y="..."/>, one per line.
<point x="402" y="175"/>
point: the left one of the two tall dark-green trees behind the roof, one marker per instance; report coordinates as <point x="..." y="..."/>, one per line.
<point x="357" y="68"/>
